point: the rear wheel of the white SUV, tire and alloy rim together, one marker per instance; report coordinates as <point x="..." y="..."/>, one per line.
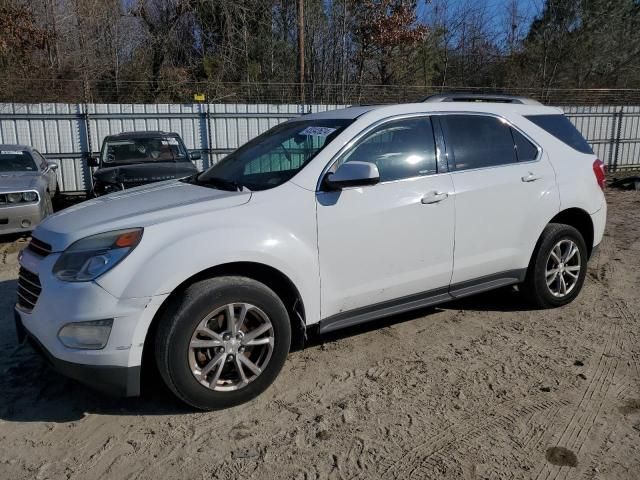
<point x="558" y="267"/>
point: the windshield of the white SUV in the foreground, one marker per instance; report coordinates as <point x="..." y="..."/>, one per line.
<point x="274" y="157"/>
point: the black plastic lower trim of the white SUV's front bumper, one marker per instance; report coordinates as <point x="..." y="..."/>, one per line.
<point x="113" y="380"/>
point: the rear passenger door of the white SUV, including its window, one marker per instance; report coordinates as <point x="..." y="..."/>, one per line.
<point x="506" y="192"/>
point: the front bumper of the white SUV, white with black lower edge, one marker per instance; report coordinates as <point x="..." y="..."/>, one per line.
<point x="114" y="368"/>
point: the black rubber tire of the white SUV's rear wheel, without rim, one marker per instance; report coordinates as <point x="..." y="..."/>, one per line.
<point x="535" y="285"/>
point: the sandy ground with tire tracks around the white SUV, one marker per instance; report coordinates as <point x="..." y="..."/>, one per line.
<point x="475" y="389"/>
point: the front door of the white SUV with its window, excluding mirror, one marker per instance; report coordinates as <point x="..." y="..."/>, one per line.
<point x="386" y="246"/>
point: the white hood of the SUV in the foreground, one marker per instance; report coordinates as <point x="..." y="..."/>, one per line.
<point x="138" y="207"/>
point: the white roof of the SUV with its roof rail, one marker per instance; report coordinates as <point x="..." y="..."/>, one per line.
<point x="398" y="109"/>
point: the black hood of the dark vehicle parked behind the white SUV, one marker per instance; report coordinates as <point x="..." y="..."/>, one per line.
<point x="144" y="172"/>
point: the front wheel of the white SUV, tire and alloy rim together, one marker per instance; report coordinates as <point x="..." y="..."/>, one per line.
<point x="222" y="342"/>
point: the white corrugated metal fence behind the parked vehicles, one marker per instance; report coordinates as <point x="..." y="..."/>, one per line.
<point x="66" y="133"/>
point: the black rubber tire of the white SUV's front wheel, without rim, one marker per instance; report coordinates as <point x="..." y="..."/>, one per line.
<point x="180" y="320"/>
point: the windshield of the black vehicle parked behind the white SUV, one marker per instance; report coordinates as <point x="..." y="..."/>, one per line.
<point x="150" y="149"/>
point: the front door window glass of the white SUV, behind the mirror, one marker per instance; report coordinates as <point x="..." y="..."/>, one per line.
<point x="400" y="149"/>
